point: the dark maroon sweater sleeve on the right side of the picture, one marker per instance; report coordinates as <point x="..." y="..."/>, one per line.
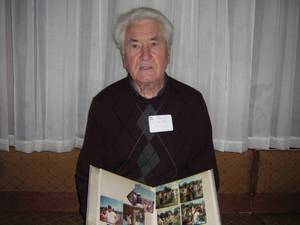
<point x="203" y="155"/>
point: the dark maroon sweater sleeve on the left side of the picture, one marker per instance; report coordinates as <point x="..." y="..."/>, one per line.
<point x="91" y="154"/>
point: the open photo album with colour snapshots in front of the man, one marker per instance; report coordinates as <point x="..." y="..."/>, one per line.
<point x="113" y="199"/>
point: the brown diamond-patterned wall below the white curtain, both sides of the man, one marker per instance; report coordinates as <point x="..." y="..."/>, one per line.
<point x="255" y="181"/>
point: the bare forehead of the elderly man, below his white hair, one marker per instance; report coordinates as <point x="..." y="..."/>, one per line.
<point x="144" y="29"/>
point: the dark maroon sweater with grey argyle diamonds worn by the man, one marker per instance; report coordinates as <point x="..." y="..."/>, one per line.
<point x="118" y="139"/>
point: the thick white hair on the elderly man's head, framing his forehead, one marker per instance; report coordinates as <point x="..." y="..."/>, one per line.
<point x="139" y="14"/>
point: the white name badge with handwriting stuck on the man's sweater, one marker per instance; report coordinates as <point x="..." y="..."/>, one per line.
<point x="160" y="123"/>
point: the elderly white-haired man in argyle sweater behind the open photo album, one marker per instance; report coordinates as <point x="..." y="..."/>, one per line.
<point x="148" y="126"/>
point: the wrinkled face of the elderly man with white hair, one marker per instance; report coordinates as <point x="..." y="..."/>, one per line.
<point x="146" y="54"/>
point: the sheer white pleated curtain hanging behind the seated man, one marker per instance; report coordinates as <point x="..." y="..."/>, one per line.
<point x="242" y="55"/>
